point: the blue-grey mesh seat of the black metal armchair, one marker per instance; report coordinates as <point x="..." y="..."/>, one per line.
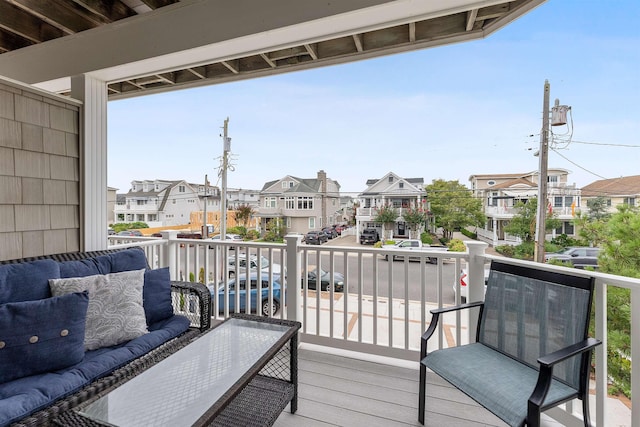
<point x="494" y="380"/>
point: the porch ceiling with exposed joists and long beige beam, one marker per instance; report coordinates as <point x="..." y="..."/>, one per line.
<point x="148" y="46"/>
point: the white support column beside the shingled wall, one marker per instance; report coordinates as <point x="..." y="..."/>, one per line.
<point x="93" y="160"/>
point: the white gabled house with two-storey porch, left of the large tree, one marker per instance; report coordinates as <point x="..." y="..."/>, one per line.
<point x="393" y="190"/>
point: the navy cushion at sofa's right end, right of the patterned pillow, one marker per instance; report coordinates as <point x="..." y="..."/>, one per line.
<point x="156" y="295"/>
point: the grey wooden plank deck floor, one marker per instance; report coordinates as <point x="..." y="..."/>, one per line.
<point x="336" y="390"/>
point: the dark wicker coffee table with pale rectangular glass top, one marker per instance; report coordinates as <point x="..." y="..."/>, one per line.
<point x="242" y="372"/>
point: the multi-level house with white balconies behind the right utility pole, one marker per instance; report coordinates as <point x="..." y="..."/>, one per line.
<point x="501" y="192"/>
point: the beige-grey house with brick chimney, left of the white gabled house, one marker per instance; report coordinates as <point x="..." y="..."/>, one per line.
<point x="303" y="204"/>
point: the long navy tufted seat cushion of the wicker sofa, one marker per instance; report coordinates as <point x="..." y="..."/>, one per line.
<point x="24" y="396"/>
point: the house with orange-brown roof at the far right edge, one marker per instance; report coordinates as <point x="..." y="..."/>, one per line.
<point x="616" y="191"/>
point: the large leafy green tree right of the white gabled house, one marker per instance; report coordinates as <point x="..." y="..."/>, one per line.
<point x="453" y="206"/>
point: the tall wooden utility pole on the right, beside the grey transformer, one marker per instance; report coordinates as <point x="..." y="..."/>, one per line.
<point x="541" y="219"/>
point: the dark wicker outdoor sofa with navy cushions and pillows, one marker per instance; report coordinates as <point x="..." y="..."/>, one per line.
<point x="61" y="346"/>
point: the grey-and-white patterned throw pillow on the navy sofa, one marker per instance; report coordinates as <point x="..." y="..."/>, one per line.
<point x="115" y="312"/>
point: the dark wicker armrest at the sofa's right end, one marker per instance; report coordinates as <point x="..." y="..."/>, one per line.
<point x="192" y="300"/>
